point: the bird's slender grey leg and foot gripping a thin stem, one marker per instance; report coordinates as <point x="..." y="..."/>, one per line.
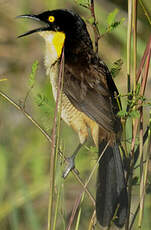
<point x="71" y="163"/>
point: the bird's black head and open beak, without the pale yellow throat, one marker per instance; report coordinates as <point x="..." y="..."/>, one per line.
<point x="66" y="21"/>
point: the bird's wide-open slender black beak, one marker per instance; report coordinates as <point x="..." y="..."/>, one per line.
<point x="36" y="18"/>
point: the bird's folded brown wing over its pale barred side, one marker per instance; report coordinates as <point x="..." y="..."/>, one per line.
<point x="91" y="96"/>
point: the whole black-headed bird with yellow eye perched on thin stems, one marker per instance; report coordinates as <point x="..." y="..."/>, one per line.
<point x="89" y="102"/>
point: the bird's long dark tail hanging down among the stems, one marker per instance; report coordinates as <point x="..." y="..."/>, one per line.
<point x="111" y="194"/>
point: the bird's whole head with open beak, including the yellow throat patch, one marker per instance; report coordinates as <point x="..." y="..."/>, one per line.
<point x="60" y="27"/>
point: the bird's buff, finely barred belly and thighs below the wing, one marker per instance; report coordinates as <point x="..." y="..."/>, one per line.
<point x="73" y="117"/>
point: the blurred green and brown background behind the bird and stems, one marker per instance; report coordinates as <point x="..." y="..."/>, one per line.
<point x="24" y="151"/>
